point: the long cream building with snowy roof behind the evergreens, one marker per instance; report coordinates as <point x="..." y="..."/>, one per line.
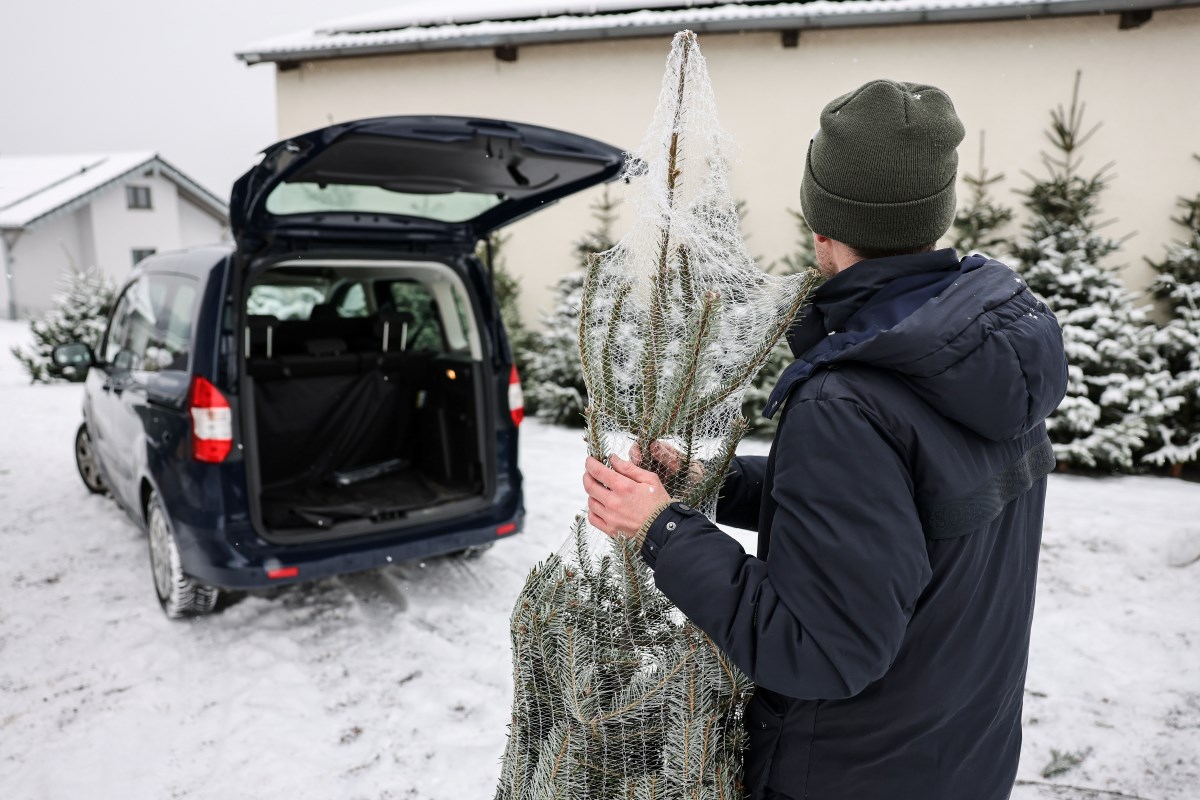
<point x="593" y="68"/>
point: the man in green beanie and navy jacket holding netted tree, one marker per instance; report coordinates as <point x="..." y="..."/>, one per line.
<point x="886" y="618"/>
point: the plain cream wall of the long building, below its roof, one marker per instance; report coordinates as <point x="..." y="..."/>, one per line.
<point x="1004" y="77"/>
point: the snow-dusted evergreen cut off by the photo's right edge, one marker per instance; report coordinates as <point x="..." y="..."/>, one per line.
<point x="1179" y="282"/>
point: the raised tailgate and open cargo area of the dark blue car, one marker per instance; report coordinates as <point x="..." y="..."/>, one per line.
<point x="371" y="404"/>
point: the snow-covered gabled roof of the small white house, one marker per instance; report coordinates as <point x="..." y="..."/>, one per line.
<point x="34" y="189"/>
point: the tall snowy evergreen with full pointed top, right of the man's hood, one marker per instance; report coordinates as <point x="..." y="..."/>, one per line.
<point x="1114" y="393"/>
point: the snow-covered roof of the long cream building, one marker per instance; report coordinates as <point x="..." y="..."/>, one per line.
<point x="461" y="25"/>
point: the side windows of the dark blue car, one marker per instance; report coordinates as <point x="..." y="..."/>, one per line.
<point x="152" y="326"/>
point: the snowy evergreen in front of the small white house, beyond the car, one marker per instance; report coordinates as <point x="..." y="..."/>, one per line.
<point x="79" y="314"/>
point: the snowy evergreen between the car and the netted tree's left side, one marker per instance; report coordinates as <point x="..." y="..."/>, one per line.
<point x="554" y="378"/>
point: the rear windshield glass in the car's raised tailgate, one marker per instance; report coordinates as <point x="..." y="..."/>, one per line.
<point x="325" y="199"/>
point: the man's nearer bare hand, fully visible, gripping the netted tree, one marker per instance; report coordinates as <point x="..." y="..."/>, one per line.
<point x="622" y="498"/>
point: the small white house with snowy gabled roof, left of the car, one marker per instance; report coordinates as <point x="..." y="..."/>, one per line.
<point x="110" y="210"/>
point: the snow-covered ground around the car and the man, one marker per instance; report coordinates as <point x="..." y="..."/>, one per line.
<point x="397" y="684"/>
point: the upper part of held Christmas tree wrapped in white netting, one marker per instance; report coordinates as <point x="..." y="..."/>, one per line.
<point x="677" y="318"/>
